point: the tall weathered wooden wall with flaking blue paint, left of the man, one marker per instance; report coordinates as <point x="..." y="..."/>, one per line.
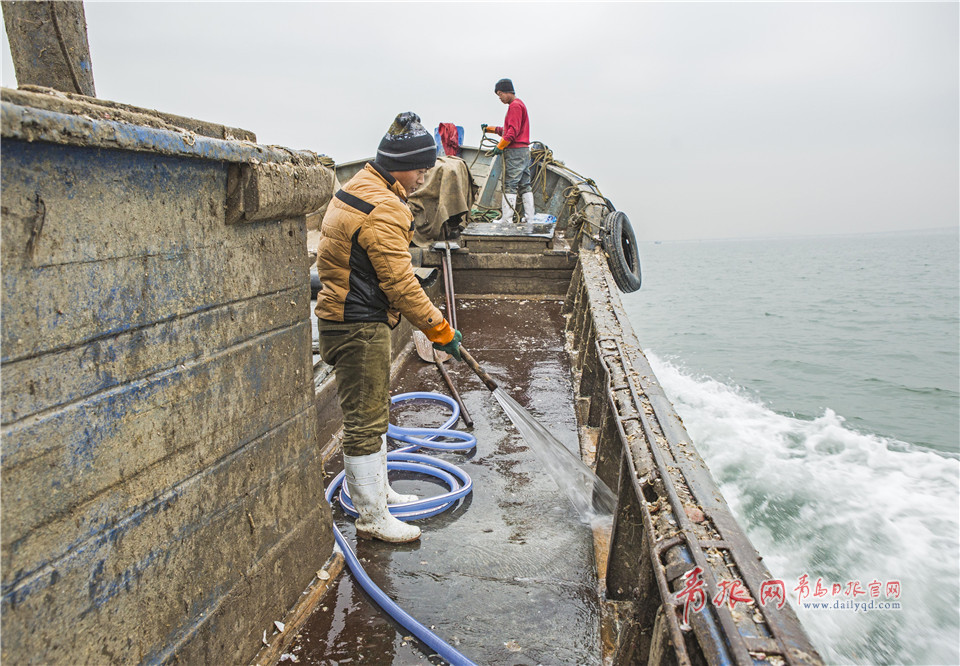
<point x="162" y="488"/>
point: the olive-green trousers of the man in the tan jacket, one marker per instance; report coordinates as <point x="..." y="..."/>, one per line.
<point x="360" y="355"/>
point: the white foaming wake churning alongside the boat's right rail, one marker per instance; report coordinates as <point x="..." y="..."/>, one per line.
<point x="819" y="498"/>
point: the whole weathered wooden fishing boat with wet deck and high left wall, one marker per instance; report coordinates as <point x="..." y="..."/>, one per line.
<point x="170" y="441"/>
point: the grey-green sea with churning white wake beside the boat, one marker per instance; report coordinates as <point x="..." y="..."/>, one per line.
<point x="818" y="377"/>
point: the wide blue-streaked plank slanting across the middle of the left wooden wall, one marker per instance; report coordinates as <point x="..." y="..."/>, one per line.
<point x="118" y="448"/>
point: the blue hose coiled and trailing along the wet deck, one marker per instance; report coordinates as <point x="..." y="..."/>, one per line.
<point x="456" y="479"/>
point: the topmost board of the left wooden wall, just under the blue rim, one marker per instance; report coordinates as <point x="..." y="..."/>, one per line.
<point x="179" y="207"/>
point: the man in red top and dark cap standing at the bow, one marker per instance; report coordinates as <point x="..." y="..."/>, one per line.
<point x="515" y="147"/>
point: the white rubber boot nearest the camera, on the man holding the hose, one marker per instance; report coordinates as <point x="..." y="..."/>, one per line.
<point x="367" y="484"/>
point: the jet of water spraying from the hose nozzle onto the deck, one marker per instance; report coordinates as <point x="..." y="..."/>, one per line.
<point x="591" y="497"/>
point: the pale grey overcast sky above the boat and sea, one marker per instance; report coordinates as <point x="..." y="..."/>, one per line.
<point x="699" y="120"/>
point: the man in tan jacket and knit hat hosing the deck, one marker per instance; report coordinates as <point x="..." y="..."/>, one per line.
<point x="368" y="282"/>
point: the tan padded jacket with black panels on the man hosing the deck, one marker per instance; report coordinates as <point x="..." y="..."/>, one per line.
<point x="364" y="261"/>
